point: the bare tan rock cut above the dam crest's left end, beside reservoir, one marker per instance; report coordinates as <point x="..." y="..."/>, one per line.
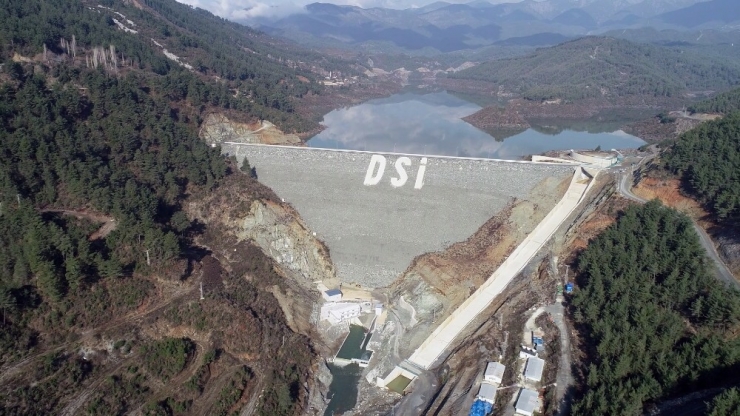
<point x="217" y="128"/>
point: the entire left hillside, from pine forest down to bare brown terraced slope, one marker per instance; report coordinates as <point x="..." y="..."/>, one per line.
<point x="100" y="105"/>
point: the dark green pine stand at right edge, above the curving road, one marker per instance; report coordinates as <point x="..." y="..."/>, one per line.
<point x="707" y="159"/>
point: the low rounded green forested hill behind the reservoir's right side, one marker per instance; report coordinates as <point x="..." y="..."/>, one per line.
<point x="606" y="67"/>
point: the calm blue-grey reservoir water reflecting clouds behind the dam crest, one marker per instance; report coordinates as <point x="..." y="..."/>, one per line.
<point x="432" y="124"/>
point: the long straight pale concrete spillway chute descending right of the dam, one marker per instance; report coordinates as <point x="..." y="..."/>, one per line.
<point x="446" y="333"/>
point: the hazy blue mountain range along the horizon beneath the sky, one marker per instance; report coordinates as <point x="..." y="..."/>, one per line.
<point x="447" y="27"/>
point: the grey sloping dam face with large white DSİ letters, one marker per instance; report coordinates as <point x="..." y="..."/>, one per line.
<point x="377" y="212"/>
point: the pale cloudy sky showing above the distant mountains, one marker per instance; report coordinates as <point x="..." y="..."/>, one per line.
<point x="245" y="9"/>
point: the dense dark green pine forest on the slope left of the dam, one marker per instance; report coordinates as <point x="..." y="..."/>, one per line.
<point x="115" y="150"/>
